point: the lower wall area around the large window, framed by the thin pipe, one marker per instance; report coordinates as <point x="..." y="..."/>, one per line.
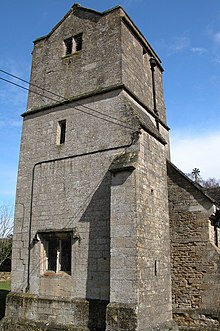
<point x="65" y="197"/>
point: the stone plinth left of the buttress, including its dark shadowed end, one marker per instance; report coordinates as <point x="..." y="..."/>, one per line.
<point x="27" y="312"/>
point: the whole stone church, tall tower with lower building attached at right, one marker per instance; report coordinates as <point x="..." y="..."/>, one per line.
<point x="97" y="224"/>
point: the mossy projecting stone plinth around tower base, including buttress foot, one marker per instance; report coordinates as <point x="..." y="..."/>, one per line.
<point x="28" y="312"/>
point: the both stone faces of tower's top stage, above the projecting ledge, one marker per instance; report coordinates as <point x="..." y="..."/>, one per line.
<point x="111" y="55"/>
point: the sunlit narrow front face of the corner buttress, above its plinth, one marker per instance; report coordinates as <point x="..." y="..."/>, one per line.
<point x="123" y="285"/>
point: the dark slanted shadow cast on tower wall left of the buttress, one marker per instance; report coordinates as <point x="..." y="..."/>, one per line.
<point x="98" y="272"/>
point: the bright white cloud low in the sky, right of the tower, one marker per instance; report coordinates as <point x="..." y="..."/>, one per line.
<point x="188" y="152"/>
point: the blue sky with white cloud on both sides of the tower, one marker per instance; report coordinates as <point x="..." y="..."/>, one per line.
<point x="186" y="36"/>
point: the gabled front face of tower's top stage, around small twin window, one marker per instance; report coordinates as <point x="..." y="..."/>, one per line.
<point x="96" y="66"/>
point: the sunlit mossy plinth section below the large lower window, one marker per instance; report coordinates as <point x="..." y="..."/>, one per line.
<point x="49" y="311"/>
